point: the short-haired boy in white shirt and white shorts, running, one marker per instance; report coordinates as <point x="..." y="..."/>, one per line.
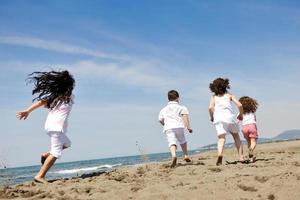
<point x="174" y="119"/>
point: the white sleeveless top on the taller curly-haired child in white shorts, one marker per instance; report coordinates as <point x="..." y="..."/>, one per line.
<point x="223" y="110"/>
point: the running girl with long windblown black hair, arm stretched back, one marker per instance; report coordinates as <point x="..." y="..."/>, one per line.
<point x="54" y="90"/>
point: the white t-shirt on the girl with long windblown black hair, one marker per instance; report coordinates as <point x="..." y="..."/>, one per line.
<point x="57" y="119"/>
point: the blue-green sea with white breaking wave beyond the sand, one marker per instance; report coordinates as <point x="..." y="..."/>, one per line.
<point x="18" y="175"/>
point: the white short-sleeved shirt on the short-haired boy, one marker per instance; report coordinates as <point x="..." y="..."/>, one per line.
<point x="171" y="115"/>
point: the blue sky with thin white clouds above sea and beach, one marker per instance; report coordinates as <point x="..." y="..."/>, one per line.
<point x="126" y="55"/>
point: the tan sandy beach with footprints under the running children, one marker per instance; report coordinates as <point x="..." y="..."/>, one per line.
<point x="275" y="175"/>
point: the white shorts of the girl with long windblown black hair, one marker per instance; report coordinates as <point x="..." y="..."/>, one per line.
<point x="59" y="141"/>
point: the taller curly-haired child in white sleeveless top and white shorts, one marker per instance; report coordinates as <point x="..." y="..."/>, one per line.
<point x="222" y="116"/>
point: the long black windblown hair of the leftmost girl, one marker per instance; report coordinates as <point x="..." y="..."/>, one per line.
<point x="55" y="87"/>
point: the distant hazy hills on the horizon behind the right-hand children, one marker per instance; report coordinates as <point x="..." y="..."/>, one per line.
<point x="286" y="135"/>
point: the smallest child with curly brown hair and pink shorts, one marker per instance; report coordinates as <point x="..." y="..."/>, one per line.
<point x="249" y="124"/>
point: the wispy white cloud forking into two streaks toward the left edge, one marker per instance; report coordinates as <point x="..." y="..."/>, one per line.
<point x="135" y="71"/>
